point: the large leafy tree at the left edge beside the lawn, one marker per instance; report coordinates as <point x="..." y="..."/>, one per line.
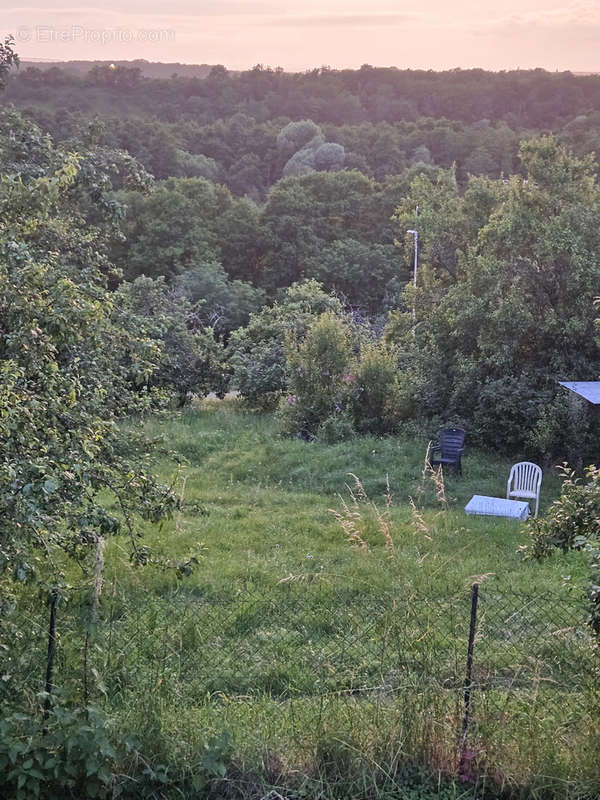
<point x="69" y="358"/>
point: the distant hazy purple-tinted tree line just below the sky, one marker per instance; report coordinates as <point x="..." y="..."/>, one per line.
<point x="522" y="98"/>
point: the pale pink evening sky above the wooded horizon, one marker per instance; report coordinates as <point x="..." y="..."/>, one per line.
<point x="302" y="34"/>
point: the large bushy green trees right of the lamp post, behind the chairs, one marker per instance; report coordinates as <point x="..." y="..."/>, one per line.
<point x="514" y="315"/>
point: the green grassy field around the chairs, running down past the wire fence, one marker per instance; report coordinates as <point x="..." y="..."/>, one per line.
<point x="332" y="654"/>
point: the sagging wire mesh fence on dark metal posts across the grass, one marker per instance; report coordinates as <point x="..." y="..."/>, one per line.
<point x="285" y="666"/>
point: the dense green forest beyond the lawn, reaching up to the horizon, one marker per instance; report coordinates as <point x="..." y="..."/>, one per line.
<point x="233" y="190"/>
